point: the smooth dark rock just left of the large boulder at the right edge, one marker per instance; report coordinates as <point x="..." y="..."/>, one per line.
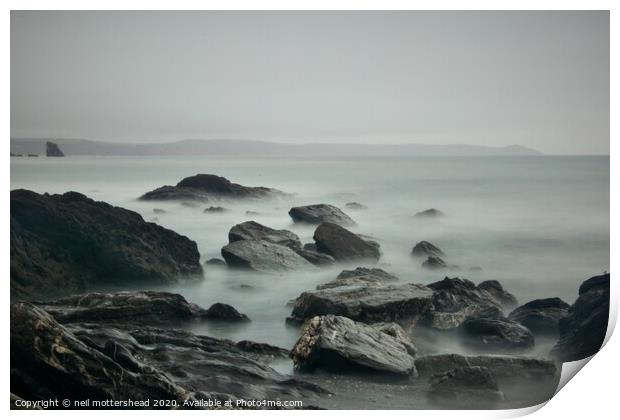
<point x="541" y="316"/>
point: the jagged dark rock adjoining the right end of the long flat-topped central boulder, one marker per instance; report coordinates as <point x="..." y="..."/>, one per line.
<point x="455" y="300"/>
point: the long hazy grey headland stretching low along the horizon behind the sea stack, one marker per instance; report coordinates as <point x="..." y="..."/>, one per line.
<point x="262" y="148"/>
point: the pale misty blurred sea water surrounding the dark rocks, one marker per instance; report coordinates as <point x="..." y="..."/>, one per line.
<point x="539" y="225"/>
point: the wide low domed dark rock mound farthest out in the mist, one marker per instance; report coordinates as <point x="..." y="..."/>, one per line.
<point x="205" y="187"/>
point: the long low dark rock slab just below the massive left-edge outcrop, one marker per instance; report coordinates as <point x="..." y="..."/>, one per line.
<point x="141" y="307"/>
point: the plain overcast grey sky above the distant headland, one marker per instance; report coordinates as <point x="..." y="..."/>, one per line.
<point x="538" y="79"/>
